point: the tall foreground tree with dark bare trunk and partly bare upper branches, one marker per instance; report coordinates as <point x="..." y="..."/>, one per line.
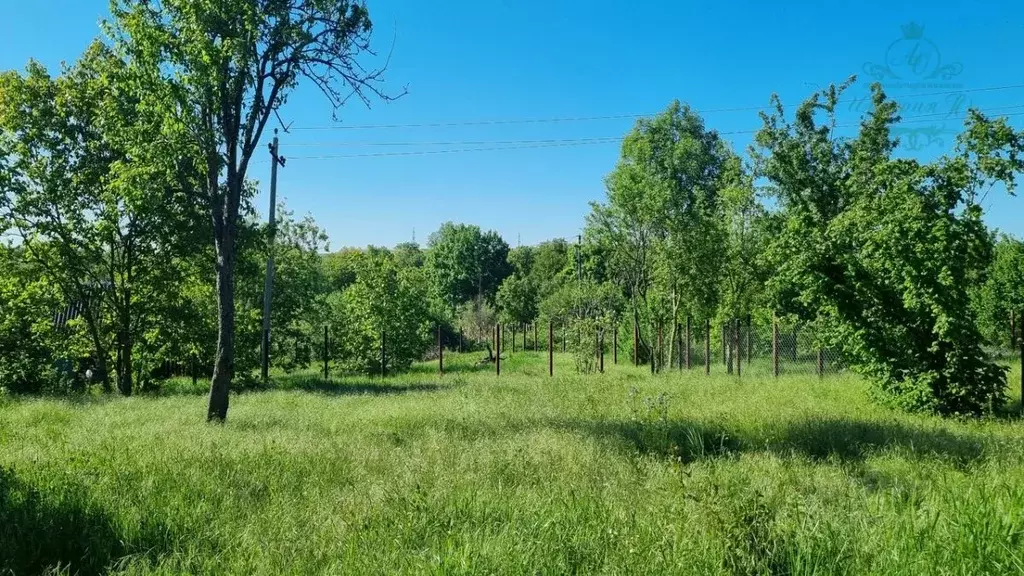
<point x="219" y="70"/>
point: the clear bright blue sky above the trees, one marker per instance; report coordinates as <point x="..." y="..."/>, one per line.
<point x="495" y="60"/>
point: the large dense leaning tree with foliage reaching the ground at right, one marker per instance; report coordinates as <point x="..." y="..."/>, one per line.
<point x="882" y="251"/>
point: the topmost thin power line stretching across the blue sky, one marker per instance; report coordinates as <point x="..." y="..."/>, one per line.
<point x="619" y="116"/>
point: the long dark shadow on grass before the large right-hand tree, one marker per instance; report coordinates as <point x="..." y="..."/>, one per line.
<point x="840" y="440"/>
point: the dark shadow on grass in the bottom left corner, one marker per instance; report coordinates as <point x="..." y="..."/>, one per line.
<point x="61" y="532"/>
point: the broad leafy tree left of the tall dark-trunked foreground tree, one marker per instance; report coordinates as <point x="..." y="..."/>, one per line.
<point x="99" y="211"/>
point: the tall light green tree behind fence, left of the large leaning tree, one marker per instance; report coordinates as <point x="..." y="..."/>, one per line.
<point x="660" y="227"/>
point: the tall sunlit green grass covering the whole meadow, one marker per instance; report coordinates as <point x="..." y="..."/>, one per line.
<point x="617" y="474"/>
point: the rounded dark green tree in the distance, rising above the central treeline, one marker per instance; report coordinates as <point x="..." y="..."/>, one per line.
<point x="463" y="263"/>
